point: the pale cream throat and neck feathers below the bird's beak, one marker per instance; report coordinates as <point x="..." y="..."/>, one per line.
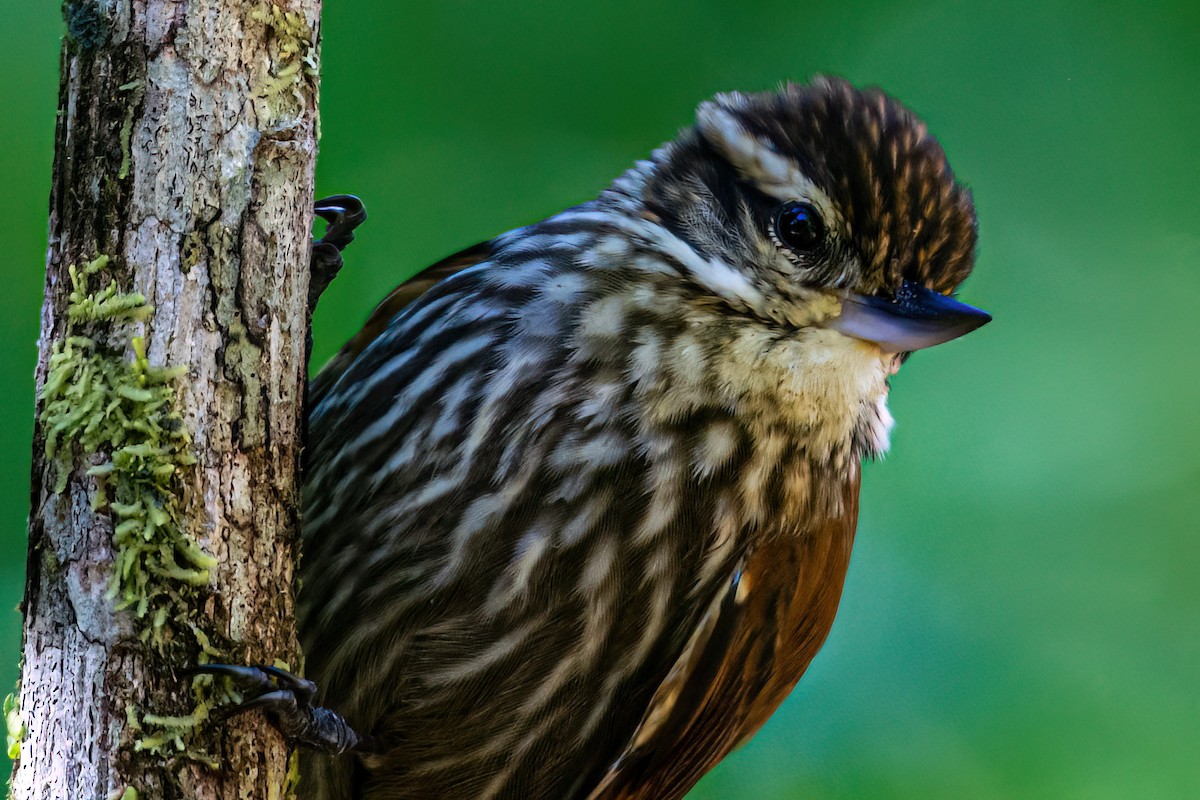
<point x="800" y="412"/>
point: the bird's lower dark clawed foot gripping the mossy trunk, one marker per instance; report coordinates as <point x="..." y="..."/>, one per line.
<point x="287" y="699"/>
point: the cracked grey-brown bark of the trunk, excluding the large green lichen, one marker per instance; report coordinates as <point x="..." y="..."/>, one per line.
<point x="185" y="151"/>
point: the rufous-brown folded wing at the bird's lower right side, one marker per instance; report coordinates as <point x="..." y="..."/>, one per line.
<point x="757" y="640"/>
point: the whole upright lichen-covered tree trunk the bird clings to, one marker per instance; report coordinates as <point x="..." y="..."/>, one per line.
<point x="171" y="381"/>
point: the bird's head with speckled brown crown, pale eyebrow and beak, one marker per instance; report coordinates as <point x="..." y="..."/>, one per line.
<point x="823" y="206"/>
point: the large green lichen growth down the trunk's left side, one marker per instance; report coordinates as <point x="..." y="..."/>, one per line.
<point x="98" y="401"/>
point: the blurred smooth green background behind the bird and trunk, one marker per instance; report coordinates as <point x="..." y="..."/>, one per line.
<point x="1023" y="615"/>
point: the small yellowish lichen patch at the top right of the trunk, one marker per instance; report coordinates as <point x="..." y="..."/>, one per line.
<point x="292" y="67"/>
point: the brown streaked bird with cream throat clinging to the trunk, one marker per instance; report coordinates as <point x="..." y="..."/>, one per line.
<point x="580" y="501"/>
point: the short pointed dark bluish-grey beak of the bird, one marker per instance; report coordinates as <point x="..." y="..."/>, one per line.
<point x="915" y="320"/>
